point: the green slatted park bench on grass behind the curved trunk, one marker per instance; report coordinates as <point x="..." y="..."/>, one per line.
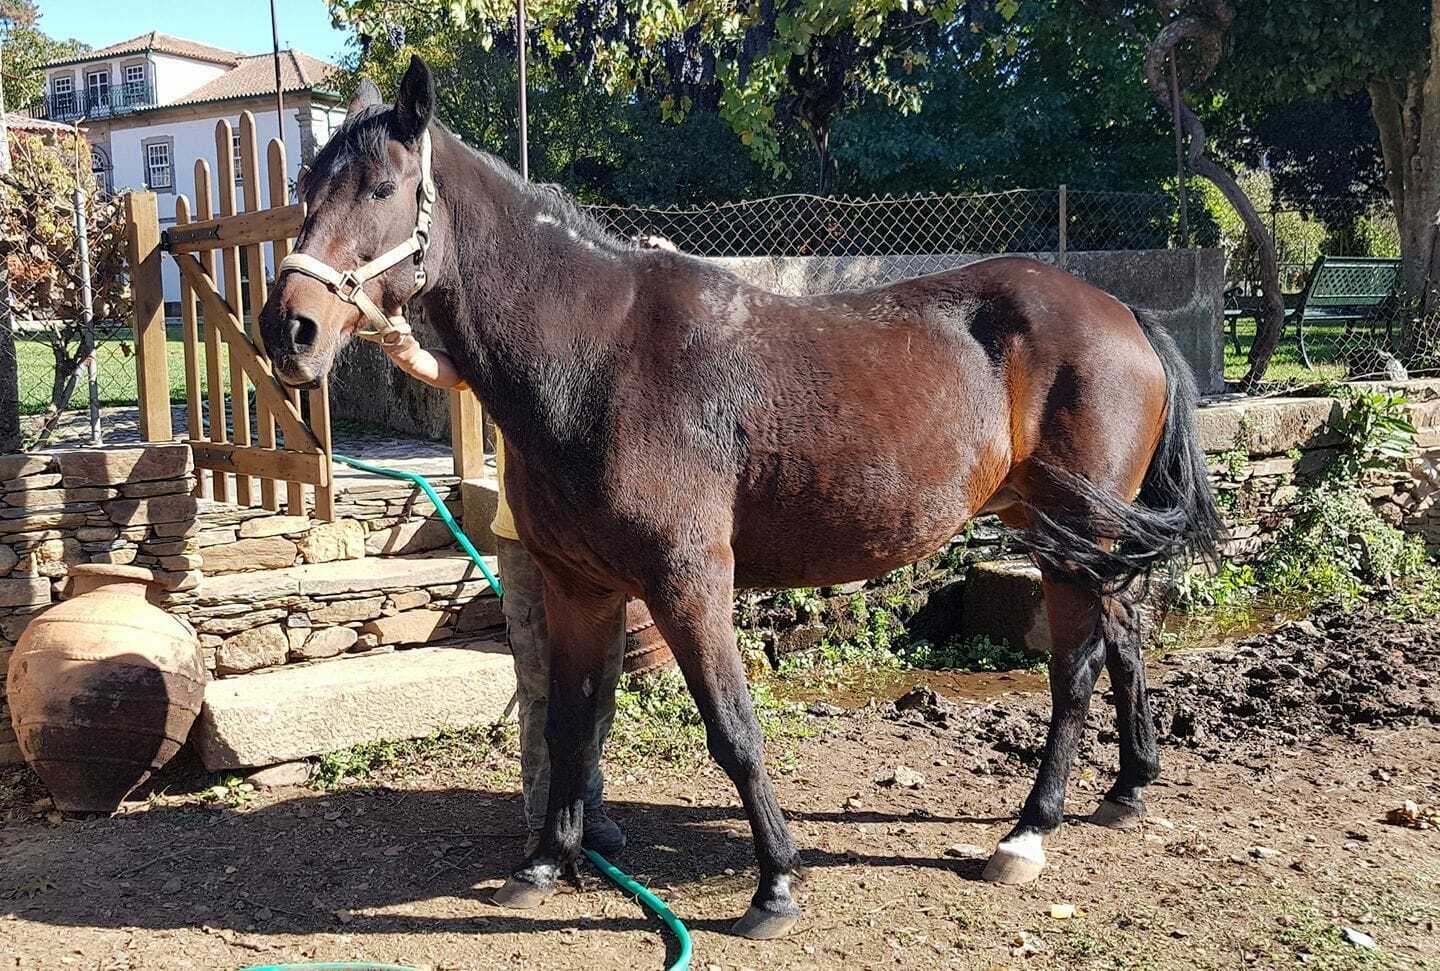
<point x="1340" y="290"/>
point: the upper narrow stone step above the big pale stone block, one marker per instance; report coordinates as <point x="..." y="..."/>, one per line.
<point x="339" y="578"/>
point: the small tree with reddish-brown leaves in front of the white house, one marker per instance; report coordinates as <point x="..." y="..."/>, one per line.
<point x="40" y="244"/>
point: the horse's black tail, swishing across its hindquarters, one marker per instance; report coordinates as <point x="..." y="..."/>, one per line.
<point x="1173" y="519"/>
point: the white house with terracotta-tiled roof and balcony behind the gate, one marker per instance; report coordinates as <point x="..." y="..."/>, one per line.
<point x="150" y="106"/>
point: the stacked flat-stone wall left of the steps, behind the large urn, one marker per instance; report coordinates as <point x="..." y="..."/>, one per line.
<point x="89" y="506"/>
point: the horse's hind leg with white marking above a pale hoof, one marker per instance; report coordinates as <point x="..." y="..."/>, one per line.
<point x="1078" y="653"/>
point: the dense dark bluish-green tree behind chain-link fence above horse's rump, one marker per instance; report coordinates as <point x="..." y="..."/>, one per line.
<point x="1053" y="96"/>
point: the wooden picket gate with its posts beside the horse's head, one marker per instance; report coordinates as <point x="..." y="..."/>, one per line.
<point x="280" y="444"/>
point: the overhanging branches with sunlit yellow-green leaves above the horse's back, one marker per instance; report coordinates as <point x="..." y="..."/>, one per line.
<point x="760" y="66"/>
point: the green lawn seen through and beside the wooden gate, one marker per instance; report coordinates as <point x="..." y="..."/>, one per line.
<point x="116" y="371"/>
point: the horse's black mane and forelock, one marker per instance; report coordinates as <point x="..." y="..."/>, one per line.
<point x="364" y="138"/>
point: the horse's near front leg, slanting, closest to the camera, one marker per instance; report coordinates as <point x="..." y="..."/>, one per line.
<point x="692" y="607"/>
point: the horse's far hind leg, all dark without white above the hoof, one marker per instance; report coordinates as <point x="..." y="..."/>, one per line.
<point x="1124" y="806"/>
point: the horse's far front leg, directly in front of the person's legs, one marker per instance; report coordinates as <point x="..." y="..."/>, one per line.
<point x="582" y="626"/>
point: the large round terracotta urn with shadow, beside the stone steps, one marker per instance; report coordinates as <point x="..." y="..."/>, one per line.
<point x="103" y="689"/>
